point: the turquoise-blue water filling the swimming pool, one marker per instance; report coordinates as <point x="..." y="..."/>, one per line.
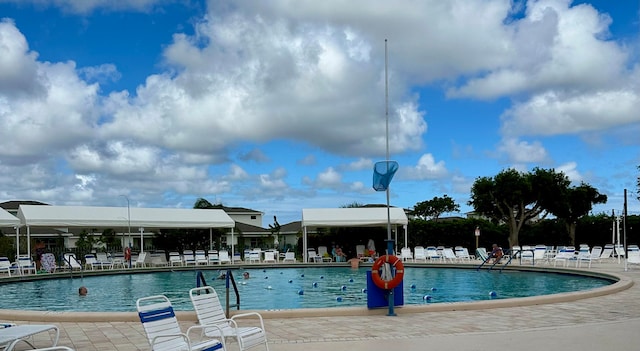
<point x="280" y="288"/>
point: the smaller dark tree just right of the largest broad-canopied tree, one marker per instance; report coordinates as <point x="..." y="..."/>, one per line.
<point x="573" y="203"/>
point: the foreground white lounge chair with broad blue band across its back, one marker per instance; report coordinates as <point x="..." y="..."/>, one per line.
<point x="163" y="331"/>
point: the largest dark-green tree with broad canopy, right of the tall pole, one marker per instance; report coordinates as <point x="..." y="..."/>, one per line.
<point x="514" y="197"/>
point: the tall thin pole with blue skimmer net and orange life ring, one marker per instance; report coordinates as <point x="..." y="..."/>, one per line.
<point x="383" y="171"/>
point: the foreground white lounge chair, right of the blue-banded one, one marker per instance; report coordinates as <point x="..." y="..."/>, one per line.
<point x="210" y="313"/>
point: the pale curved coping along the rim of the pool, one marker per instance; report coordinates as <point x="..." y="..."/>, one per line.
<point x="621" y="283"/>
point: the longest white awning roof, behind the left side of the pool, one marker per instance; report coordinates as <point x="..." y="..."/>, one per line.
<point x="100" y="217"/>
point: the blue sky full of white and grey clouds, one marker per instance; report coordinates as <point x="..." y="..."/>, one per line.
<point x="279" y="105"/>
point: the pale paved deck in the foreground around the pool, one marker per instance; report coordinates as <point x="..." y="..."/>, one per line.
<point x="610" y="322"/>
